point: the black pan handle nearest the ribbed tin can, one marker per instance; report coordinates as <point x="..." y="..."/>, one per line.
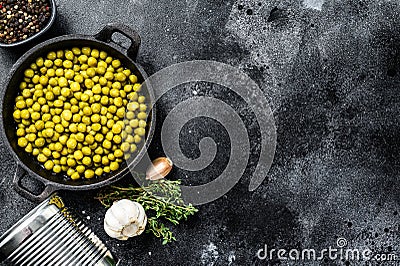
<point x="19" y="175"/>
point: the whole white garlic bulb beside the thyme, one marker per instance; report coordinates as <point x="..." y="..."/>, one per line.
<point x="125" y="219"/>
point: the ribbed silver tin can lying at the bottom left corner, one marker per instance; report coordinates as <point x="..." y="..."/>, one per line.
<point x="52" y="235"/>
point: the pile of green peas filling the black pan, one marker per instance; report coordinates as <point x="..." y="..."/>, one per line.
<point x="80" y="112"/>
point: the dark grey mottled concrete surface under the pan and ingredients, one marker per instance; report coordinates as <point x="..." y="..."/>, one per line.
<point x="331" y="73"/>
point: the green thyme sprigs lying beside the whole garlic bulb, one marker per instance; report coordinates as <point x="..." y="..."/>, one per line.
<point x="162" y="201"/>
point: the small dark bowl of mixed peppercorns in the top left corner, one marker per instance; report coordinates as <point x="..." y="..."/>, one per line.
<point x="24" y="20"/>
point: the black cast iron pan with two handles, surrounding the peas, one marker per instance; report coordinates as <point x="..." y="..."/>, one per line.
<point x="27" y="165"/>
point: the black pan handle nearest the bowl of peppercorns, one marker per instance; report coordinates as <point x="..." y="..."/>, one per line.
<point x="106" y="33"/>
